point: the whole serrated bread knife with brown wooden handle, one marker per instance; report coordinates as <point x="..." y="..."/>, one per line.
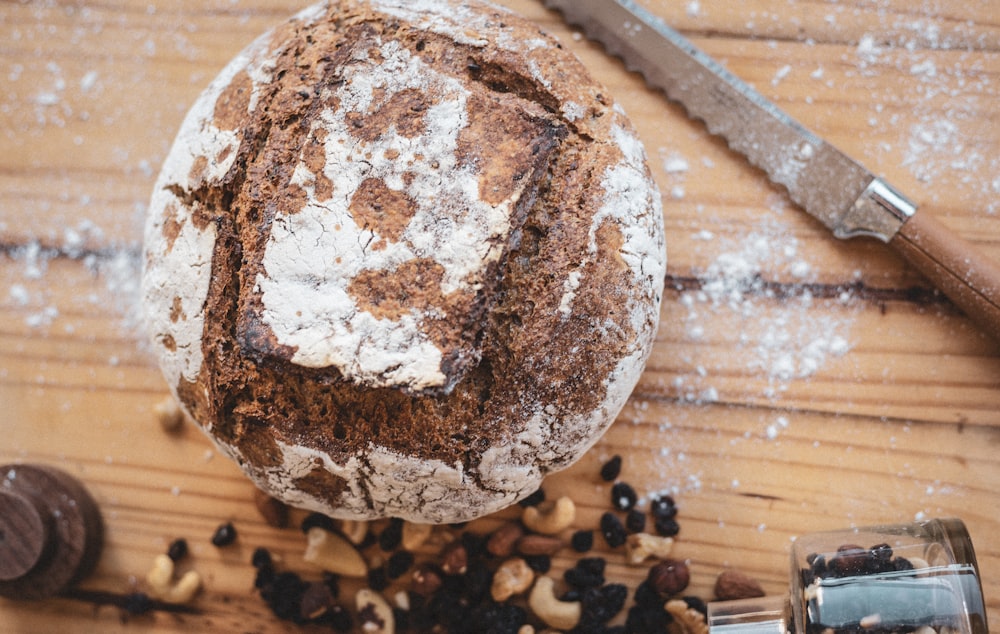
<point x="835" y="189"/>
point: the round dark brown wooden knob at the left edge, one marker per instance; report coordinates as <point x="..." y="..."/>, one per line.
<point x="51" y="534"/>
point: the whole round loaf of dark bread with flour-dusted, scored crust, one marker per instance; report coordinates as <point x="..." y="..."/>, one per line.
<point x="404" y="259"/>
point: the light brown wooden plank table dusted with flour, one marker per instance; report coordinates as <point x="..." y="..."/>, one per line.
<point x="798" y="383"/>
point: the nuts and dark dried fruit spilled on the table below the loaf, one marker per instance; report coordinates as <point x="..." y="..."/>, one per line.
<point x="419" y="578"/>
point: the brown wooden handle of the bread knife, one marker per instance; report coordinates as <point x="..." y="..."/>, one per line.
<point x="959" y="270"/>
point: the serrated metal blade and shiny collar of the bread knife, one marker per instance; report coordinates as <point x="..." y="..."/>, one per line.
<point x="821" y="179"/>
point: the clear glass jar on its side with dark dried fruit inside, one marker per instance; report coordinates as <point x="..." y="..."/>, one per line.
<point x="919" y="578"/>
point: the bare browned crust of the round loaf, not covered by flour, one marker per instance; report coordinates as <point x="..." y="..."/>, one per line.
<point x="521" y="352"/>
